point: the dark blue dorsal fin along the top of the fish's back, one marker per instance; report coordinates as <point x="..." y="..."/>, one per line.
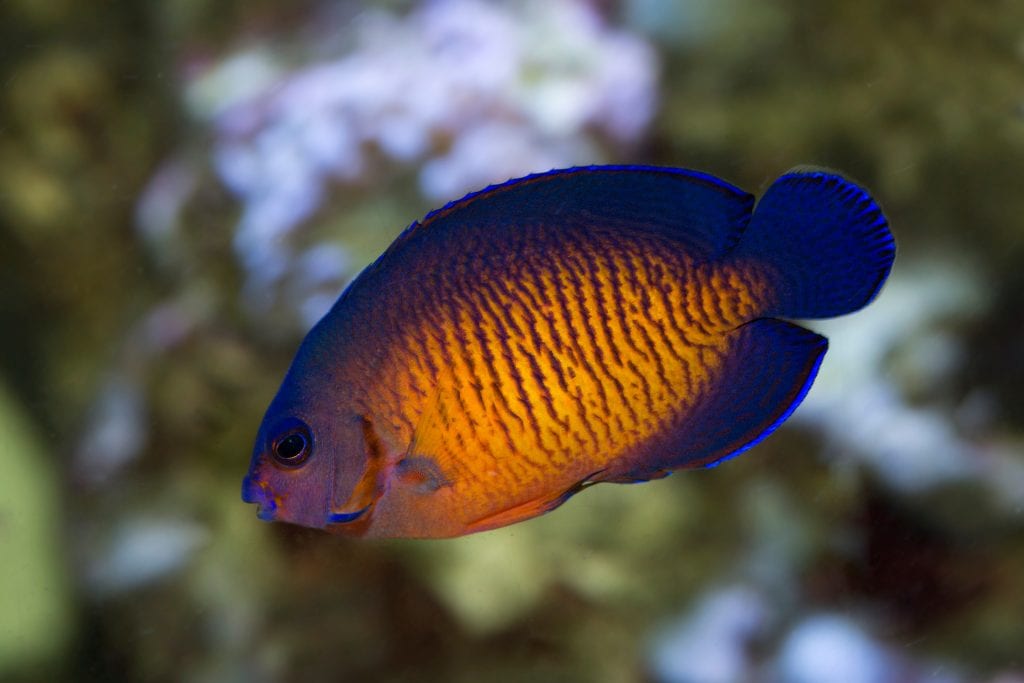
<point x="705" y="215"/>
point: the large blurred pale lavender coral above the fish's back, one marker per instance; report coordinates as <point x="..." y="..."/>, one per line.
<point x="466" y="93"/>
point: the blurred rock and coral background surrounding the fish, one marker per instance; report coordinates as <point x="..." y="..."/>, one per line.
<point x="187" y="187"/>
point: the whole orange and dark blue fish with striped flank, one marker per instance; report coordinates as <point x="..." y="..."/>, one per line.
<point x="602" y="324"/>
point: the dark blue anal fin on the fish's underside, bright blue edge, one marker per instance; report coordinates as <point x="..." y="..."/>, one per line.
<point x="770" y="367"/>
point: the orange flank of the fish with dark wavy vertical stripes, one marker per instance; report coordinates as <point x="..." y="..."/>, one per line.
<point x="558" y="361"/>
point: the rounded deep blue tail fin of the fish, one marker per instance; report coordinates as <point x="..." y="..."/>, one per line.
<point x="828" y="240"/>
